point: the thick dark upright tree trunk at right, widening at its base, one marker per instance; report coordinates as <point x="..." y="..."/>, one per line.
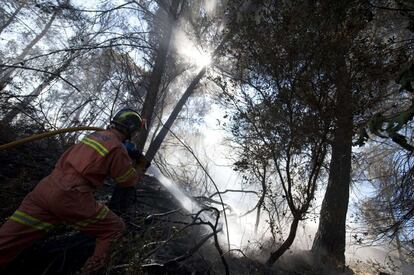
<point x="329" y="243"/>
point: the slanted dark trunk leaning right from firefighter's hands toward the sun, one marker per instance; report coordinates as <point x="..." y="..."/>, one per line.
<point x="155" y="145"/>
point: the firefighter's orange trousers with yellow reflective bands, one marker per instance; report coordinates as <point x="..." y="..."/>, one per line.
<point x="47" y="205"/>
